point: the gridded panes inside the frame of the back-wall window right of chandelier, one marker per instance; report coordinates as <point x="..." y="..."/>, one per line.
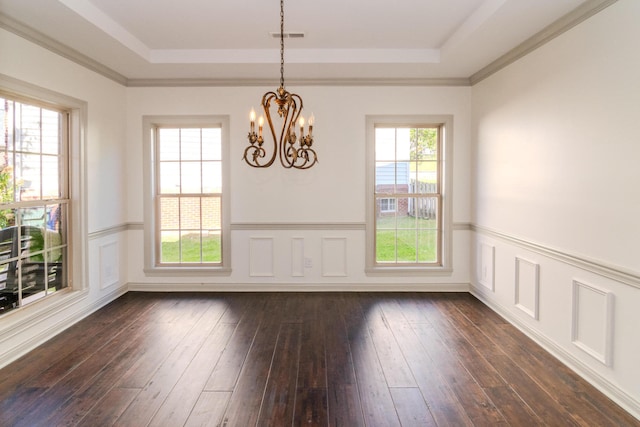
<point x="408" y="170"/>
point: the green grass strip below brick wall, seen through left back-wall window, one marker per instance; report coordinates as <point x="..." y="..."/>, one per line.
<point x="189" y="249"/>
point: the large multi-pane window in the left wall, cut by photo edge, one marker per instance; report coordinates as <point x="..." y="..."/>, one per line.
<point x="34" y="201"/>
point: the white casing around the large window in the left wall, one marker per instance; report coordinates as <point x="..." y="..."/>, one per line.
<point x="75" y="112"/>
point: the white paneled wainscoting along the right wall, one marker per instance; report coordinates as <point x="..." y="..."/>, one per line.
<point x="583" y="311"/>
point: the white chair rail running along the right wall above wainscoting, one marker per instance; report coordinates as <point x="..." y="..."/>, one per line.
<point x="616" y="273"/>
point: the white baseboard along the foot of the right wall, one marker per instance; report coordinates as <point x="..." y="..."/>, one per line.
<point x="591" y="376"/>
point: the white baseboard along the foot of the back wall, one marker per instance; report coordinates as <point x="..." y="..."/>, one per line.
<point x="298" y="287"/>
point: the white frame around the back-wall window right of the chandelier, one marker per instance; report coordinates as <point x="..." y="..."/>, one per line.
<point x="372" y="268"/>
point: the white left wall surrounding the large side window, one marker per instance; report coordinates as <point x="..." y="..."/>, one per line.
<point x="100" y="275"/>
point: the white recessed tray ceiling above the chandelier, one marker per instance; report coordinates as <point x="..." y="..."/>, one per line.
<point x="344" y="39"/>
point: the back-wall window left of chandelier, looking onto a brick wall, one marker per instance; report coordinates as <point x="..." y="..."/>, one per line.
<point x="189" y="217"/>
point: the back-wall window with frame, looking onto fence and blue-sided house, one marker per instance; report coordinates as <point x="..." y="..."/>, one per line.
<point x="407" y="194"/>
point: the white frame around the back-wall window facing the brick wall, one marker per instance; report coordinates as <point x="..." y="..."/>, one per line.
<point x="151" y="265"/>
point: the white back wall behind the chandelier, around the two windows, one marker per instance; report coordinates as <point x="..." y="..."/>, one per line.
<point x="330" y="193"/>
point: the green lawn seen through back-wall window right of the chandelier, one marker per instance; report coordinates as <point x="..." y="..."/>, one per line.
<point x="409" y="240"/>
